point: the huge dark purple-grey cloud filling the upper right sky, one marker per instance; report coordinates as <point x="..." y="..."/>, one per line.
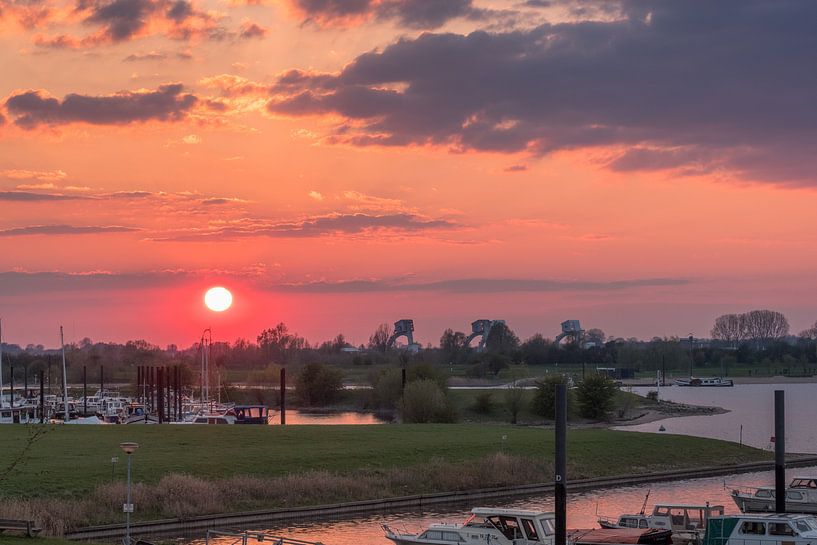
<point x="730" y="84"/>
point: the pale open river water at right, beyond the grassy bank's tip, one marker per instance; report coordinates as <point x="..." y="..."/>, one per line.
<point x="750" y="406"/>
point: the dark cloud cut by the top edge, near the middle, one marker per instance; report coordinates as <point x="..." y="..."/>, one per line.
<point x="427" y="14"/>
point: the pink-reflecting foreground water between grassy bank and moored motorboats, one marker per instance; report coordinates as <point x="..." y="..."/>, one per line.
<point x="582" y="509"/>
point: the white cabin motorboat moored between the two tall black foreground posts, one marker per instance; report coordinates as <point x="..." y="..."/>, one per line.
<point x="687" y="522"/>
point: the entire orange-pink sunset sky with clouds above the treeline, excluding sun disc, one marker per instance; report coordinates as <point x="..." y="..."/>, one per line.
<point x="642" y="166"/>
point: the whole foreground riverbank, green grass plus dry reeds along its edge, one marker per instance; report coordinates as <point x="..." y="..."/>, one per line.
<point x="184" y="471"/>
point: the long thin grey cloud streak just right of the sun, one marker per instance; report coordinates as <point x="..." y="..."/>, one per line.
<point x="478" y="285"/>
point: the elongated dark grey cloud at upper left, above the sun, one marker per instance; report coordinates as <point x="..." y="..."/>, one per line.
<point x="167" y="103"/>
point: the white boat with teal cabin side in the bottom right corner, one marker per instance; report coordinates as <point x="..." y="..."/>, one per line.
<point x="769" y="529"/>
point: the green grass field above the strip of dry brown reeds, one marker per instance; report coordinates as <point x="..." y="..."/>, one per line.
<point x="69" y="461"/>
